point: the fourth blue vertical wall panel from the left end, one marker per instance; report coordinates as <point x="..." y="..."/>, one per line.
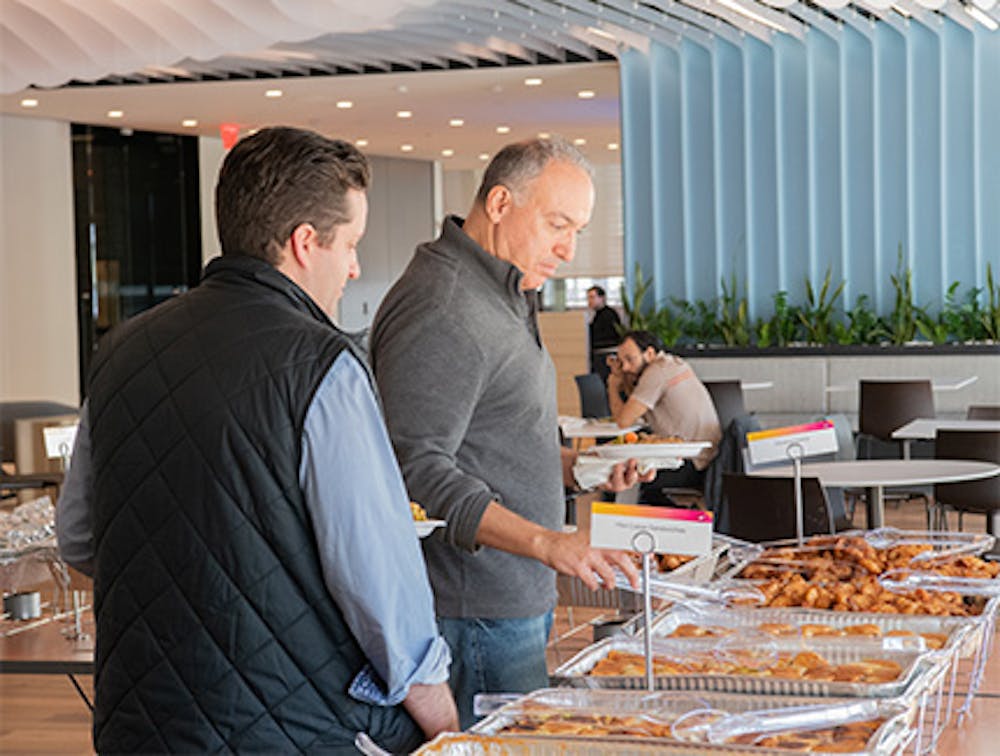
<point x="730" y="176"/>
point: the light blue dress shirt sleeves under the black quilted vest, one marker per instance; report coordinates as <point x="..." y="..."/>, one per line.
<point x="371" y="559"/>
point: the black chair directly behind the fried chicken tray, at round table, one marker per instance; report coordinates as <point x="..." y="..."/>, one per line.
<point x="763" y="509"/>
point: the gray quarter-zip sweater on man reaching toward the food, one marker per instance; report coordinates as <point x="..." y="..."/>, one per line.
<point x="470" y="403"/>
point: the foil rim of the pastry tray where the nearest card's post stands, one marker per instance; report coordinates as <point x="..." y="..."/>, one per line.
<point x="917" y="669"/>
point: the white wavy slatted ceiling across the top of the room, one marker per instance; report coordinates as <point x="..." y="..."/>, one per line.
<point x="47" y="43"/>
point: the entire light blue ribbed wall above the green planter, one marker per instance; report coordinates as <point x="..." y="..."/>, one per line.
<point x="777" y="161"/>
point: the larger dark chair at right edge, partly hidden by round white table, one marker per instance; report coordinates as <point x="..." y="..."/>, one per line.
<point x="976" y="496"/>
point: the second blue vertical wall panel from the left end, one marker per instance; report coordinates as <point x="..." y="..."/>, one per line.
<point x="669" y="278"/>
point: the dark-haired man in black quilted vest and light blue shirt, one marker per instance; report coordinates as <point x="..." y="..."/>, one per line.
<point x="257" y="578"/>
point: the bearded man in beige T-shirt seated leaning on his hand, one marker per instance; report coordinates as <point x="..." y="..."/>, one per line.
<point x="646" y="383"/>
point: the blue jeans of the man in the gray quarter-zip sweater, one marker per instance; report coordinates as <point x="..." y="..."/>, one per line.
<point x="495" y="656"/>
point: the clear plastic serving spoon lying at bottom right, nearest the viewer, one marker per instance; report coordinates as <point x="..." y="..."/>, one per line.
<point x="718" y="727"/>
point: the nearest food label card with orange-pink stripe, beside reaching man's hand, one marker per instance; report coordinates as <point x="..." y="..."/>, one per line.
<point x="662" y="530"/>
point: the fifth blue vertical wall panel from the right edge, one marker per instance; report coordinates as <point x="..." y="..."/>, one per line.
<point x="857" y="160"/>
